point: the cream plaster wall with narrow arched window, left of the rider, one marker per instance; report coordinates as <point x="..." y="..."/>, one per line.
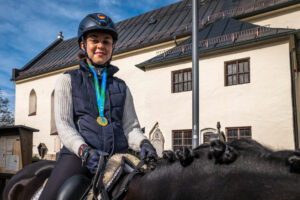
<point x="41" y="121"/>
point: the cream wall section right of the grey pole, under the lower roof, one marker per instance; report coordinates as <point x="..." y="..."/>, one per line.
<point x="265" y="103"/>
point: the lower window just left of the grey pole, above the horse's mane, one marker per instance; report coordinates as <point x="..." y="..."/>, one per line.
<point x="182" y="138"/>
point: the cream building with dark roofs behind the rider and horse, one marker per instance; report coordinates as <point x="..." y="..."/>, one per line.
<point x="249" y="57"/>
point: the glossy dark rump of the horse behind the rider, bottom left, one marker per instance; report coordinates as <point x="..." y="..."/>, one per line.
<point x="28" y="180"/>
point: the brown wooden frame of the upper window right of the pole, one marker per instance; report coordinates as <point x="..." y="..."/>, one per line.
<point x="237" y="61"/>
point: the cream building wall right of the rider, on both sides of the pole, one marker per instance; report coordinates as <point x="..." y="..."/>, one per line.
<point x="264" y="104"/>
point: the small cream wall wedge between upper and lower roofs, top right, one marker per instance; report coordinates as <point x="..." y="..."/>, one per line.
<point x="288" y="18"/>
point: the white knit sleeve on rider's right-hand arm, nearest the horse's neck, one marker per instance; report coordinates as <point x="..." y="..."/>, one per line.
<point x="131" y="125"/>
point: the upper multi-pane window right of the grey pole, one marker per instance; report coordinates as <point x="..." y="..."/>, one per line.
<point x="237" y="72"/>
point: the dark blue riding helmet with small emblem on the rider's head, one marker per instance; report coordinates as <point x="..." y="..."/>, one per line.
<point x="97" y="21"/>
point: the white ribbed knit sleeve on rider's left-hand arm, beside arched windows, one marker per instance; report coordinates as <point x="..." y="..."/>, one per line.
<point x="63" y="112"/>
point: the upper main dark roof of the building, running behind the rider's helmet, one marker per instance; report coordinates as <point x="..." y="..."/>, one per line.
<point x="150" y="28"/>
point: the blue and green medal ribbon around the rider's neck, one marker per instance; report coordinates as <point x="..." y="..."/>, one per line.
<point x="100" y="97"/>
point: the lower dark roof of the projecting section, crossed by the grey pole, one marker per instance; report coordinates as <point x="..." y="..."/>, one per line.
<point x="225" y="32"/>
